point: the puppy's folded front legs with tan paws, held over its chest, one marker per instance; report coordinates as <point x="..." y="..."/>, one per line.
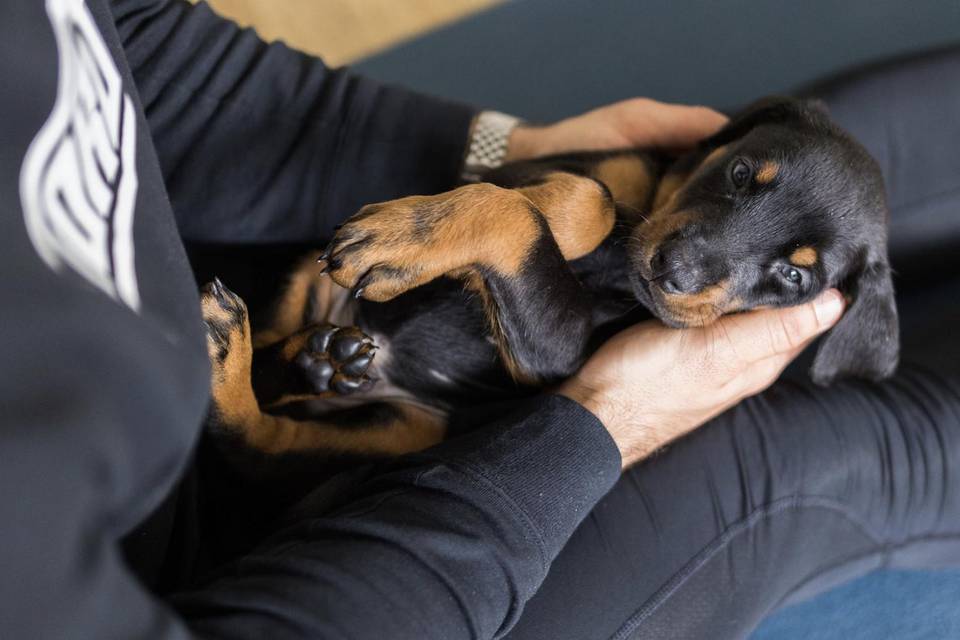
<point x="511" y="246"/>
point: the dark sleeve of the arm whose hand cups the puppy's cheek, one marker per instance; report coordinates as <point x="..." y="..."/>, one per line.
<point x="446" y="545"/>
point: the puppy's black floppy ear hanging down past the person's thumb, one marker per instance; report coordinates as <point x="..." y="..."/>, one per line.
<point x="865" y="343"/>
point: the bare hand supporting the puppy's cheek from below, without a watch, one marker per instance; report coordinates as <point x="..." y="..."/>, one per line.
<point x="651" y="384"/>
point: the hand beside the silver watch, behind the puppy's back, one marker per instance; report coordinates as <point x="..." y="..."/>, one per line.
<point x="638" y="122"/>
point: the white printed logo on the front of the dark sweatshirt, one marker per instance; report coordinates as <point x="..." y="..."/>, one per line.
<point x="78" y="182"/>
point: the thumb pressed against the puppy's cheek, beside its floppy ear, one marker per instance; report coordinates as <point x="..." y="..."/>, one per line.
<point x="755" y="336"/>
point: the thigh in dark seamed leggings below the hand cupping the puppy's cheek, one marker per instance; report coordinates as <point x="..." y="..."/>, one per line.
<point x="776" y="498"/>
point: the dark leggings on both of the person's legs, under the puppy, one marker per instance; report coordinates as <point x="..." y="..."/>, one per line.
<point x="801" y="487"/>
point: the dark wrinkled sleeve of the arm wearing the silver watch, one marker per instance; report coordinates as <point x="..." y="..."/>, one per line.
<point x="262" y="143"/>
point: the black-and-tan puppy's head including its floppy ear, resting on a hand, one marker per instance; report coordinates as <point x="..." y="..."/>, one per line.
<point x="775" y="208"/>
